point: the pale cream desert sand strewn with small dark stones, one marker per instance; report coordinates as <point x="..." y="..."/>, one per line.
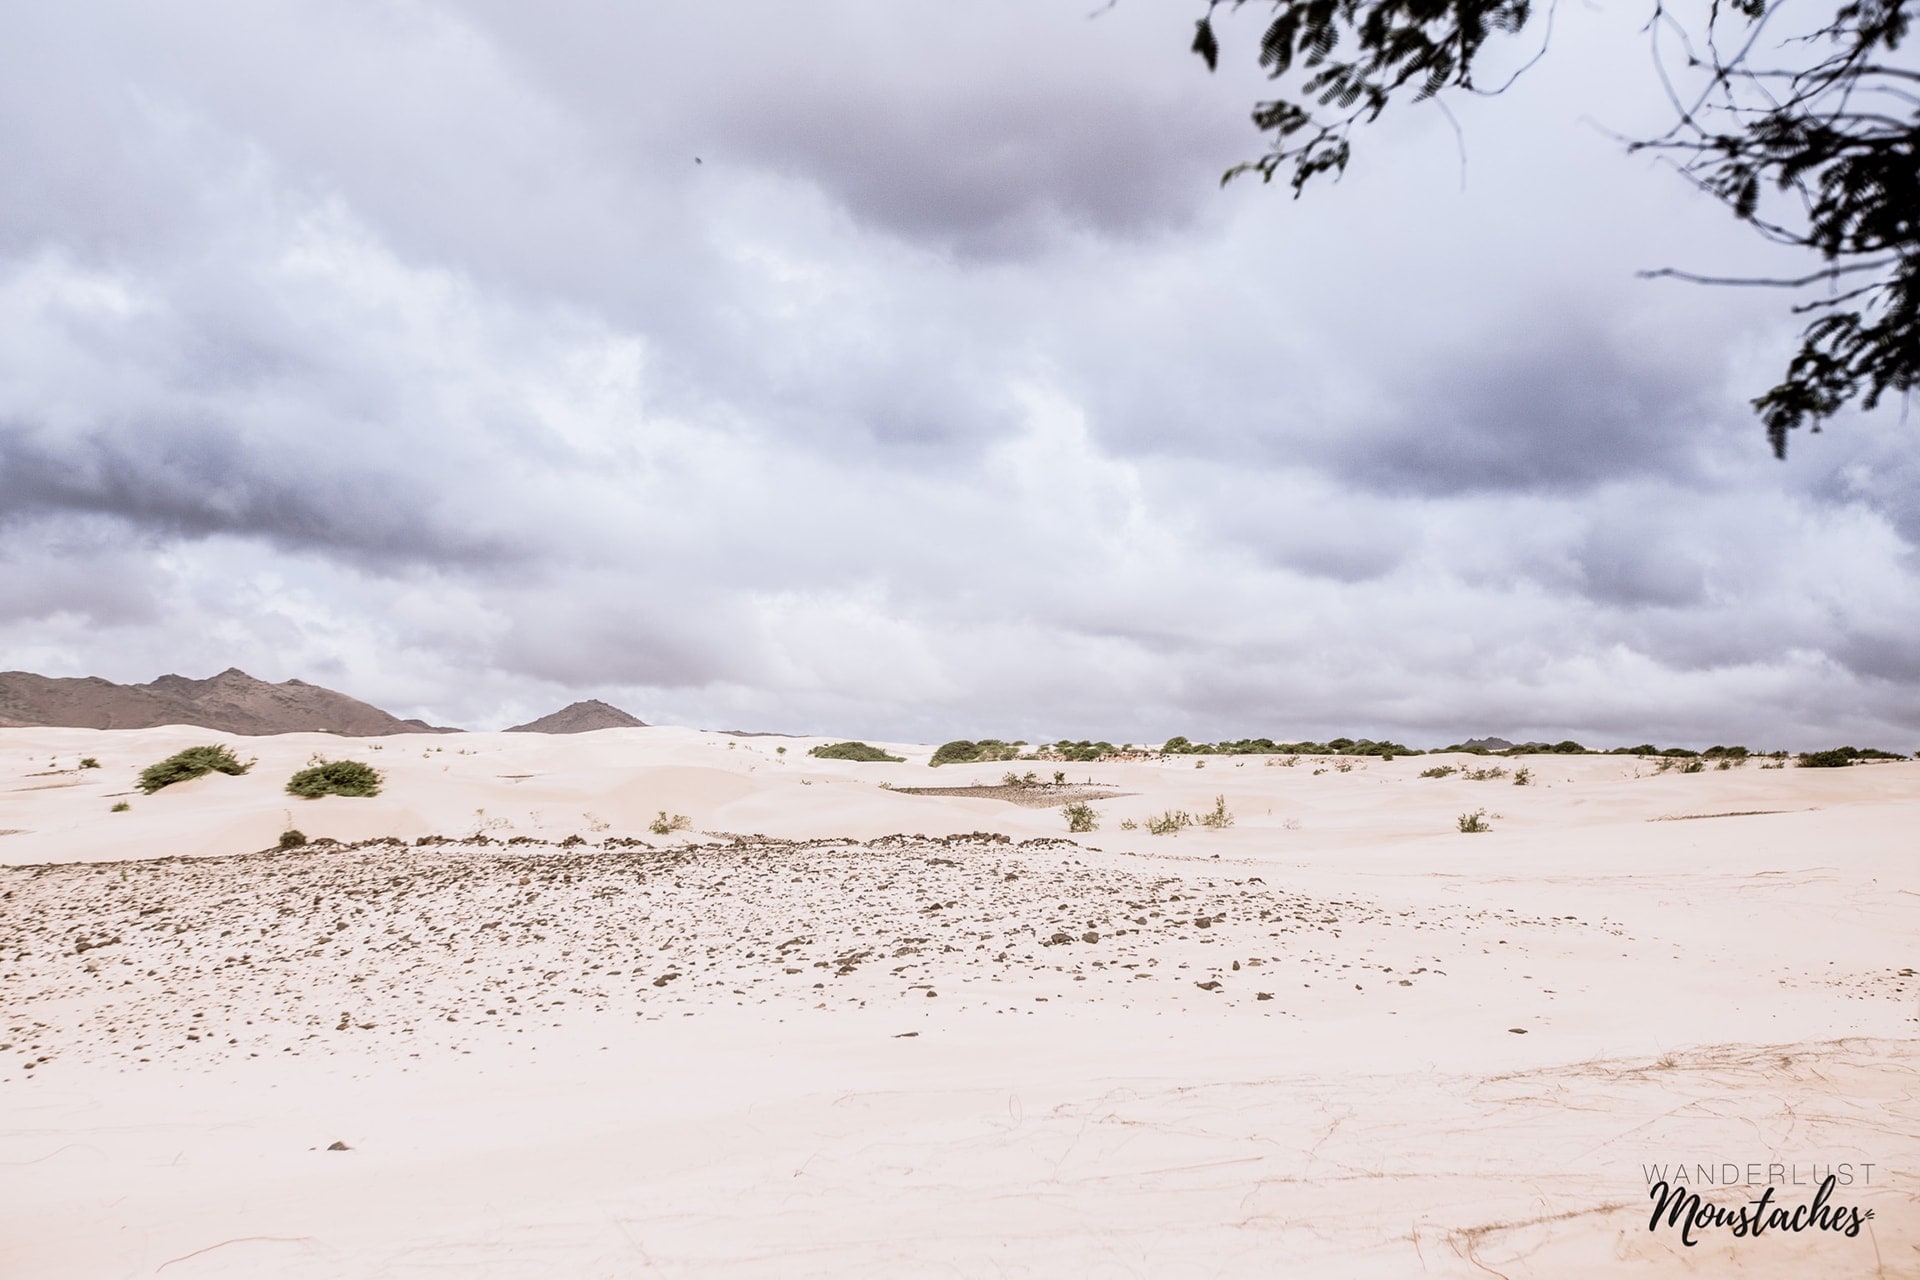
<point x="840" y="1030"/>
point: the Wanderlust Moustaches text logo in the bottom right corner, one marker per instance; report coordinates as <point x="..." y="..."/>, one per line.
<point x="1679" y="1200"/>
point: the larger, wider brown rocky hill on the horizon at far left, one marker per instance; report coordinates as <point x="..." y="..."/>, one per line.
<point x="231" y="703"/>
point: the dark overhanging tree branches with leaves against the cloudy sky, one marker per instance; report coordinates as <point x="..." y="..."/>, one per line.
<point x="1810" y="135"/>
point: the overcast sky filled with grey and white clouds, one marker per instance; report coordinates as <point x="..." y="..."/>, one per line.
<point x="903" y="371"/>
